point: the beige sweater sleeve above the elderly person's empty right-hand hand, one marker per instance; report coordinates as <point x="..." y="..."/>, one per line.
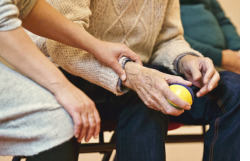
<point x="170" y="43"/>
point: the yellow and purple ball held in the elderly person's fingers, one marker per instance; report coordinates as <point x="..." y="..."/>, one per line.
<point x="184" y="92"/>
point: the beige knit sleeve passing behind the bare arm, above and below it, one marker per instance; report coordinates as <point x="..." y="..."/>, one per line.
<point x="75" y="61"/>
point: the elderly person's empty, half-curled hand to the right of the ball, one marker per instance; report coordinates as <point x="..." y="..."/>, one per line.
<point x="200" y="71"/>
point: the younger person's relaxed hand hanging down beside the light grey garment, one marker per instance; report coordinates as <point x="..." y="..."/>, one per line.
<point x="82" y="110"/>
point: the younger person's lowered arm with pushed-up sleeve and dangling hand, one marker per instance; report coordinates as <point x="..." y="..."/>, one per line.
<point x="19" y="51"/>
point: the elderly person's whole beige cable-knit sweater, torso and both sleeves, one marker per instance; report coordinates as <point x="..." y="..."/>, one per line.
<point x="151" y="28"/>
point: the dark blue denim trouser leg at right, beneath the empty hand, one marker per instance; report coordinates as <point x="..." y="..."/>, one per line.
<point x="221" y="110"/>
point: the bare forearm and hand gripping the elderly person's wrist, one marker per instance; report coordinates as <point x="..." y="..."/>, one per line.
<point x="66" y="32"/>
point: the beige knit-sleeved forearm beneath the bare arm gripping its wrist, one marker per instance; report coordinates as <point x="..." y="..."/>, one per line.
<point x="82" y="64"/>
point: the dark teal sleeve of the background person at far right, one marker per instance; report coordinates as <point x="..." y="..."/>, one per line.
<point x="230" y="33"/>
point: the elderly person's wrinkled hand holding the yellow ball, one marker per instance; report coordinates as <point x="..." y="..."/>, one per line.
<point x="152" y="87"/>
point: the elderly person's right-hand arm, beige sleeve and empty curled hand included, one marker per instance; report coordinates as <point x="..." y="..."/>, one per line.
<point x="171" y="47"/>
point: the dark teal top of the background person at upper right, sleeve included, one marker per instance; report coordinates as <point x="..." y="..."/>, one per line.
<point x="207" y="29"/>
